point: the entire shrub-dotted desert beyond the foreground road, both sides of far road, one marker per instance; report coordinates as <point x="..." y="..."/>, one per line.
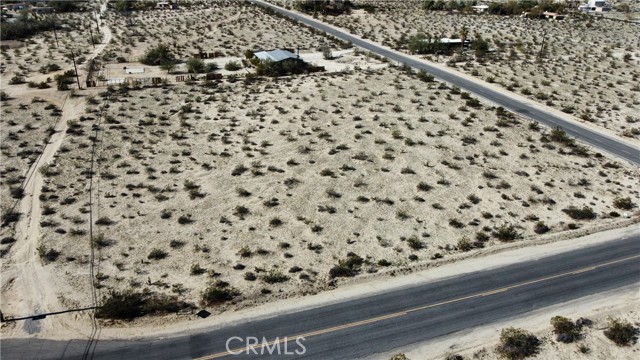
<point x="229" y="193"/>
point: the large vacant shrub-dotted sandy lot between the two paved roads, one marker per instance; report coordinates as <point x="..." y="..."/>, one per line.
<point x="276" y="187"/>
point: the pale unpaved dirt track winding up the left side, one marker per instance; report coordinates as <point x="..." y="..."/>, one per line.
<point x="26" y="287"/>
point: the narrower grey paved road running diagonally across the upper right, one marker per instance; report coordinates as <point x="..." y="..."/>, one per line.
<point x="591" y="137"/>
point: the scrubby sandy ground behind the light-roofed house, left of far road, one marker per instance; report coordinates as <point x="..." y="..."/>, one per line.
<point x="229" y="27"/>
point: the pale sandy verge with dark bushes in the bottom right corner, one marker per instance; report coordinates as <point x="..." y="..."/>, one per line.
<point x="480" y="343"/>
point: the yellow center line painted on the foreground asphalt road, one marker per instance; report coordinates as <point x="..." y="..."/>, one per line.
<point x="405" y="312"/>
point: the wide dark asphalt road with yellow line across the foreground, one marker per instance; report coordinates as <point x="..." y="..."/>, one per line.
<point x="384" y="322"/>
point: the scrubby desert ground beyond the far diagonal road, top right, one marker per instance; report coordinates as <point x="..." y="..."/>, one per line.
<point x="580" y="65"/>
